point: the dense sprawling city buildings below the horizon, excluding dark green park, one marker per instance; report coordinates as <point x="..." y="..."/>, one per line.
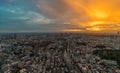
<point x="57" y="53"/>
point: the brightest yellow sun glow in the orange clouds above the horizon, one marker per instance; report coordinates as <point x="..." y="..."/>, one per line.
<point x="99" y="17"/>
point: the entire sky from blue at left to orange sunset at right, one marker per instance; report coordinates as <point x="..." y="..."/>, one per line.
<point x="59" y="16"/>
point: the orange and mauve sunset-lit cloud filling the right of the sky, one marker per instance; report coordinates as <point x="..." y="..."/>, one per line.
<point x="95" y="15"/>
